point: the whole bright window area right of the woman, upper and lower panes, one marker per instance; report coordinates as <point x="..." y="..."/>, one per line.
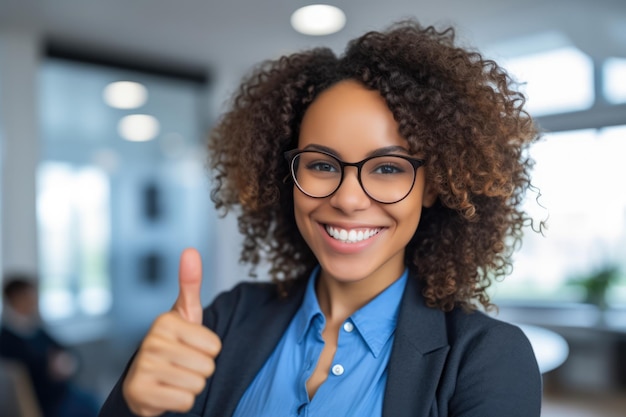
<point x="580" y="173"/>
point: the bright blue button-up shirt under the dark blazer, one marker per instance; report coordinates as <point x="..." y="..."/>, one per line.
<point x="356" y="383"/>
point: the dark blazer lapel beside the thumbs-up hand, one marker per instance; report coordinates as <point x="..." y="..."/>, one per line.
<point x="244" y="354"/>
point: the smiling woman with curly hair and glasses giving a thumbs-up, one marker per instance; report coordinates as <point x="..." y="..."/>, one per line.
<point x="383" y="186"/>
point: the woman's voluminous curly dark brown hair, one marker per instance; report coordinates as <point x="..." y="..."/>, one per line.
<point x="452" y="105"/>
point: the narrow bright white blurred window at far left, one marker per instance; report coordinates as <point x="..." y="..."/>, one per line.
<point x="74" y="236"/>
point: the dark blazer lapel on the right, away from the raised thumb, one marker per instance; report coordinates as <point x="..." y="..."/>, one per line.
<point x="417" y="358"/>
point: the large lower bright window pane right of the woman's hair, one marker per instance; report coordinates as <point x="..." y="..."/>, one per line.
<point x="582" y="177"/>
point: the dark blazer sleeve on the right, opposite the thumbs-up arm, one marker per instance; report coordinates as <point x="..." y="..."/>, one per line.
<point x="497" y="376"/>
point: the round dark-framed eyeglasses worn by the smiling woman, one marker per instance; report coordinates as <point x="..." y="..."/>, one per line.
<point x="386" y="179"/>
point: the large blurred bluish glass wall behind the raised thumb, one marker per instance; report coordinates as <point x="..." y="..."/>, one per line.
<point x="115" y="209"/>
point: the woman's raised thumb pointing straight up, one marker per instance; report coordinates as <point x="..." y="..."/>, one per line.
<point x="188" y="303"/>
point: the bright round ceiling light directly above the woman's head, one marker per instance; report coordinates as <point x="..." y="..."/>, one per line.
<point x="318" y="19"/>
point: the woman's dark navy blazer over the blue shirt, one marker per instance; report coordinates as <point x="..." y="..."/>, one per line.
<point x="442" y="364"/>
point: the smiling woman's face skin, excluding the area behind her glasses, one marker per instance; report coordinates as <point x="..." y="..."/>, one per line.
<point x="353" y="122"/>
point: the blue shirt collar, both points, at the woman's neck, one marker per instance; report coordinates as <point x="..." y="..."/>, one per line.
<point x="376" y="321"/>
